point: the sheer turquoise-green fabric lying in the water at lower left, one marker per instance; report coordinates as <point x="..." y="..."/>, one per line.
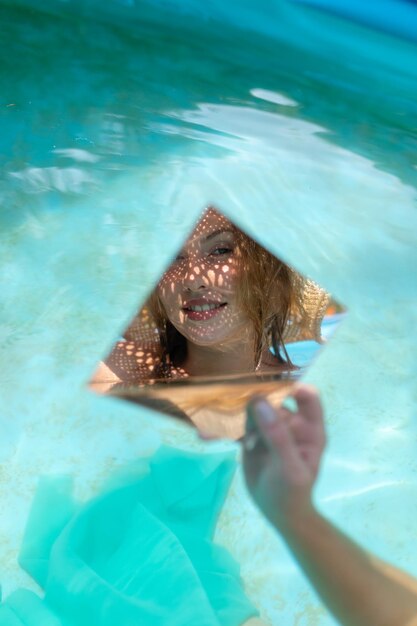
<point x="140" y="553"/>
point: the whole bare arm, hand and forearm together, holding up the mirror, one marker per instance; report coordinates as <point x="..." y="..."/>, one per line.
<point x="281" y="469"/>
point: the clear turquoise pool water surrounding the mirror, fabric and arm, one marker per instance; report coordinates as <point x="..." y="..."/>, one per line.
<point x="118" y="125"/>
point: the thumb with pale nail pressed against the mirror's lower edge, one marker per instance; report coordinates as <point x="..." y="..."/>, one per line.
<point x="277" y="437"/>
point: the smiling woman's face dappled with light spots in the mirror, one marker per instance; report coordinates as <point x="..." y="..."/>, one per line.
<point x="198" y="291"/>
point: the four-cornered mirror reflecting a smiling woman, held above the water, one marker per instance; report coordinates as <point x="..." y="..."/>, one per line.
<point x="226" y="320"/>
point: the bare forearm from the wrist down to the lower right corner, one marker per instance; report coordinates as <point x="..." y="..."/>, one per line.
<point x="357" y="588"/>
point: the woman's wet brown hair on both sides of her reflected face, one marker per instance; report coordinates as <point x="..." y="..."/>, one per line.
<point x="266" y="292"/>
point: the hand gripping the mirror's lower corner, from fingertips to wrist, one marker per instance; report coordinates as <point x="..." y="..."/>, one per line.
<point x="282" y="454"/>
